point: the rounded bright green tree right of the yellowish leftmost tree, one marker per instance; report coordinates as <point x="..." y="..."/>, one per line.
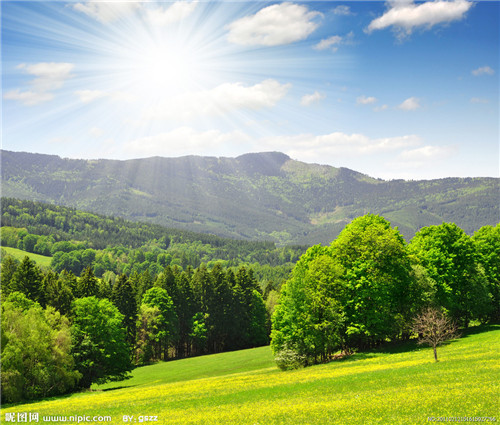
<point x="99" y="341"/>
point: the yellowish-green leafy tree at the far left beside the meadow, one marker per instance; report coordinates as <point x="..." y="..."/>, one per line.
<point x="35" y="358"/>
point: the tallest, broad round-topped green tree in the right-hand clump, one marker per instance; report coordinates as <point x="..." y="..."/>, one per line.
<point x="377" y="281"/>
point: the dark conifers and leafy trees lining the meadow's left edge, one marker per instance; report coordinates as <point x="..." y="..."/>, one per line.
<point x="61" y="332"/>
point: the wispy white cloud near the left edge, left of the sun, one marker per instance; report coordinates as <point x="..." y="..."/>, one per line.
<point x="49" y="76"/>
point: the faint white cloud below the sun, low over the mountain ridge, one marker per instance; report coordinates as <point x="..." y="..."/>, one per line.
<point x="185" y="141"/>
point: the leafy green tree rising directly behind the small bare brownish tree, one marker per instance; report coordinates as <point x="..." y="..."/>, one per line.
<point x="450" y="259"/>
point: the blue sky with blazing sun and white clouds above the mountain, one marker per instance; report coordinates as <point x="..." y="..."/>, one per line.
<point x="394" y="89"/>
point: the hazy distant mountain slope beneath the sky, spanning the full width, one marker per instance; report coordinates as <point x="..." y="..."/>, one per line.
<point x="254" y="196"/>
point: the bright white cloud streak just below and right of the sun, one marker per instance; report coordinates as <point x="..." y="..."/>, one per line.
<point x="220" y="100"/>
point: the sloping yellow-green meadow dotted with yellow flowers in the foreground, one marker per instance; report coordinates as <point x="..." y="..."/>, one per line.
<point x="399" y="385"/>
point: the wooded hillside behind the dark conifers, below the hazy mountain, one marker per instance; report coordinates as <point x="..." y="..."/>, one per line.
<point x="111" y="246"/>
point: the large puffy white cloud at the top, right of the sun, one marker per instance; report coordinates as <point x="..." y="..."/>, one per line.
<point x="274" y="25"/>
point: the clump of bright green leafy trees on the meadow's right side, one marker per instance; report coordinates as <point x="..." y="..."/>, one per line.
<point x="368" y="286"/>
